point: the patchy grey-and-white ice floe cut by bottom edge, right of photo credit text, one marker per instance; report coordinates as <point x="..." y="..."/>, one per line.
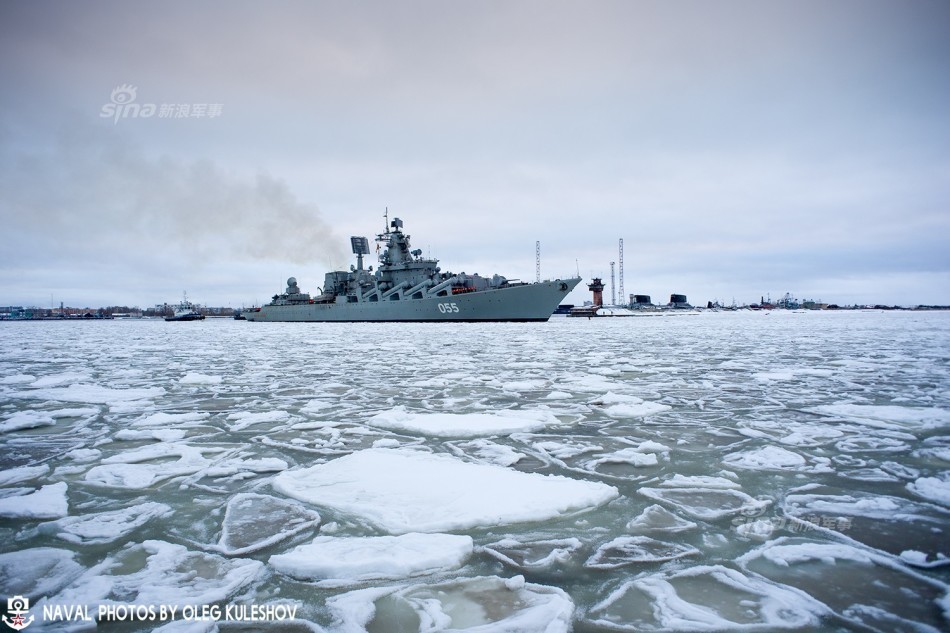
<point x="479" y="605"/>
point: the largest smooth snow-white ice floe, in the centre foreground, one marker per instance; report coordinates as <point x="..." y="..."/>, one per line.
<point x="409" y="491"/>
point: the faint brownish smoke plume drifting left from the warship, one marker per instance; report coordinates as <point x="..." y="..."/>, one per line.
<point x="86" y="196"/>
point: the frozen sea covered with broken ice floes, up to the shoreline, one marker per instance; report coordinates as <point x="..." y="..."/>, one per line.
<point x="731" y="471"/>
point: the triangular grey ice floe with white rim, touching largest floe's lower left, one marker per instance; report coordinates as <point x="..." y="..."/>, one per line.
<point x="255" y="521"/>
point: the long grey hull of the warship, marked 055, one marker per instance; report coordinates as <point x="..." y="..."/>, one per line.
<point x="529" y="302"/>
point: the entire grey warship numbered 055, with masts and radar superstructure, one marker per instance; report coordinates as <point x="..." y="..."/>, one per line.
<point x="409" y="287"/>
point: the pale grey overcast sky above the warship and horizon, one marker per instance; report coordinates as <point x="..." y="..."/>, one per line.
<point x="739" y="148"/>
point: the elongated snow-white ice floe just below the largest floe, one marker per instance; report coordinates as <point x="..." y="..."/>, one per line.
<point x="337" y="561"/>
